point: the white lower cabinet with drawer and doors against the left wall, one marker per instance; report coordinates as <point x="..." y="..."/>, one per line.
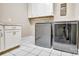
<point x="10" y="36"/>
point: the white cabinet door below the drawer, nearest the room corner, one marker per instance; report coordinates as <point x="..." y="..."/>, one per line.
<point x="12" y="38"/>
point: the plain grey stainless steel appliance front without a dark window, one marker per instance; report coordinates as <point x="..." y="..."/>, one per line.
<point x="43" y="35"/>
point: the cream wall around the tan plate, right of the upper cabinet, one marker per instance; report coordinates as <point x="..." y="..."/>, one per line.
<point x="70" y="12"/>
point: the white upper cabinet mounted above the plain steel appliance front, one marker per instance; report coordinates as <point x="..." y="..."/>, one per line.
<point x="40" y="9"/>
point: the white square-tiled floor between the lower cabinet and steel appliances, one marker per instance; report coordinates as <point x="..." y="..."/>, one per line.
<point x="28" y="48"/>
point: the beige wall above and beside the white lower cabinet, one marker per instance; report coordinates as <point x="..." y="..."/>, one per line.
<point x="15" y="13"/>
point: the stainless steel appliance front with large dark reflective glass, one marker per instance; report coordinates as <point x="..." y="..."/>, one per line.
<point x="65" y="36"/>
